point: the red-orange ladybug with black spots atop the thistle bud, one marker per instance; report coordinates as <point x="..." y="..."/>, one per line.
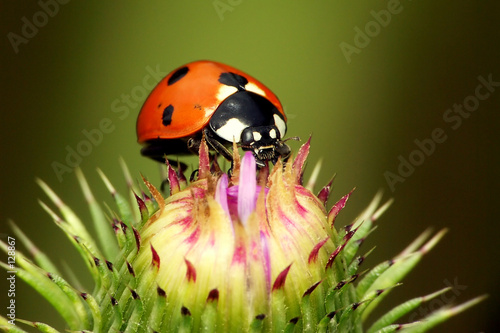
<point x="211" y="100"/>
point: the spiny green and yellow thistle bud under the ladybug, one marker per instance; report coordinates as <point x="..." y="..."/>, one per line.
<point x="254" y="252"/>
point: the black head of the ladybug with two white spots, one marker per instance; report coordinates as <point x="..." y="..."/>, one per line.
<point x="265" y="143"/>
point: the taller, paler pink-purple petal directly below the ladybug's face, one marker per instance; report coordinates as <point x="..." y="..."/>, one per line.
<point x="247" y="187"/>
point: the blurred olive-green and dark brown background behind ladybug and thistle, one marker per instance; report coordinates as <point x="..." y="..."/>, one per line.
<point x="365" y="100"/>
